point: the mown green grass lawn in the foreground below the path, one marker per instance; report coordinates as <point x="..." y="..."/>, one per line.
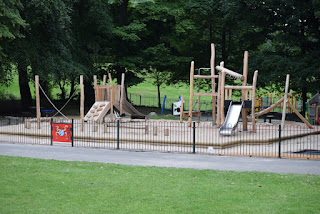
<point x="50" y="186"/>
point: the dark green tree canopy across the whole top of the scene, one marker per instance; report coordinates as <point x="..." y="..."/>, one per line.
<point x="60" y="39"/>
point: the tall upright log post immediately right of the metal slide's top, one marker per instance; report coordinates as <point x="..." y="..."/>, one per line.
<point x="245" y="92"/>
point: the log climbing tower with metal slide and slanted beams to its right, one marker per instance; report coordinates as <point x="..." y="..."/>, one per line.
<point x="223" y="98"/>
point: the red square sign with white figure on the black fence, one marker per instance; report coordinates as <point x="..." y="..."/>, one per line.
<point x="61" y="132"/>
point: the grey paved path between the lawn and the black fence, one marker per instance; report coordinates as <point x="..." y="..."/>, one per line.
<point x="194" y="161"/>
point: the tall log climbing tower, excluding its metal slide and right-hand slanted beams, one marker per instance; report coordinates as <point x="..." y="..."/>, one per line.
<point x="224" y="91"/>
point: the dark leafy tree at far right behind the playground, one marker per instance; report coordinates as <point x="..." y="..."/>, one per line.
<point x="293" y="47"/>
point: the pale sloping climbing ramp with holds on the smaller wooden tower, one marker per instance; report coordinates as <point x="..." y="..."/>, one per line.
<point x="98" y="111"/>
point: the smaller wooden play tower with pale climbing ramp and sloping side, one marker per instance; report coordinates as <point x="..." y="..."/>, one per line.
<point x="108" y="97"/>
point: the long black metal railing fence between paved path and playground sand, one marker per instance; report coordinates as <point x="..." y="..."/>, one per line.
<point x="292" y="141"/>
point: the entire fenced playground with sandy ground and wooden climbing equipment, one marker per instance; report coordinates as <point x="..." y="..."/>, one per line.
<point x="233" y="129"/>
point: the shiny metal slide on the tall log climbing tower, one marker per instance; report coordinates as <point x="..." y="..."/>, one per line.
<point x="232" y="119"/>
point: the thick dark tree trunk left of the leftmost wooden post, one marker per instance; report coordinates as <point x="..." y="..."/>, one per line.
<point x="26" y="98"/>
